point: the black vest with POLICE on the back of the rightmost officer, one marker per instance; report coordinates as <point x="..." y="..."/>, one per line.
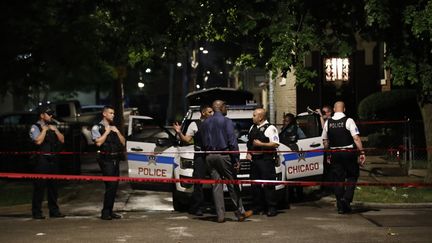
<point x="338" y="135"/>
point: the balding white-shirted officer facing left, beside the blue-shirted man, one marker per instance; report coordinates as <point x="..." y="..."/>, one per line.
<point x="262" y="144"/>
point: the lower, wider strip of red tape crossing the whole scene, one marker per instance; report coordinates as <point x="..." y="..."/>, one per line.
<point x="204" y="181"/>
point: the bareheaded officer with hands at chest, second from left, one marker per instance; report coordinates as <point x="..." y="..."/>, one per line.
<point x="111" y="144"/>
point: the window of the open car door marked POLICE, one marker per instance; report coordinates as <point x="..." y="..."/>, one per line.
<point x="147" y="130"/>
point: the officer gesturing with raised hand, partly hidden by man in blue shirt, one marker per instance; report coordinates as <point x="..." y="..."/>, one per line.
<point x="200" y="169"/>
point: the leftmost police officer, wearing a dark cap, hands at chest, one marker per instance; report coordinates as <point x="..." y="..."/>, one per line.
<point x="48" y="140"/>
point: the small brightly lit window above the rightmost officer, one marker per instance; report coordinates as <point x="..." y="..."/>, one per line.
<point x="336" y="69"/>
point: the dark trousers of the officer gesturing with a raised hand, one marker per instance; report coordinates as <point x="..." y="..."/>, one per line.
<point x="200" y="171"/>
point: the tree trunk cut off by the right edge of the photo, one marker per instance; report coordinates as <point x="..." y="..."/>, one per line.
<point x="426" y="111"/>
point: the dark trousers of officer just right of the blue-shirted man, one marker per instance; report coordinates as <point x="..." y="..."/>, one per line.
<point x="263" y="168"/>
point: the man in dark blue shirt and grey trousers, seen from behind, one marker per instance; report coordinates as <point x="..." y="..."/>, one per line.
<point x="218" y="139"/>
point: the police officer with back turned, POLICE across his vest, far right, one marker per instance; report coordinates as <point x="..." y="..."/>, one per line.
<point x="341" y="136"/>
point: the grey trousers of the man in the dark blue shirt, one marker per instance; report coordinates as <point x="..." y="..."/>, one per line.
<point x="220" y="167"/>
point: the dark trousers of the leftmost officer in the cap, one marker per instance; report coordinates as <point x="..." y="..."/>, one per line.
<point x="45" y="164"/>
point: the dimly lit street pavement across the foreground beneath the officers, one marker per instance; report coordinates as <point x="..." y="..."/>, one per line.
<point x="149" y="217"/>
